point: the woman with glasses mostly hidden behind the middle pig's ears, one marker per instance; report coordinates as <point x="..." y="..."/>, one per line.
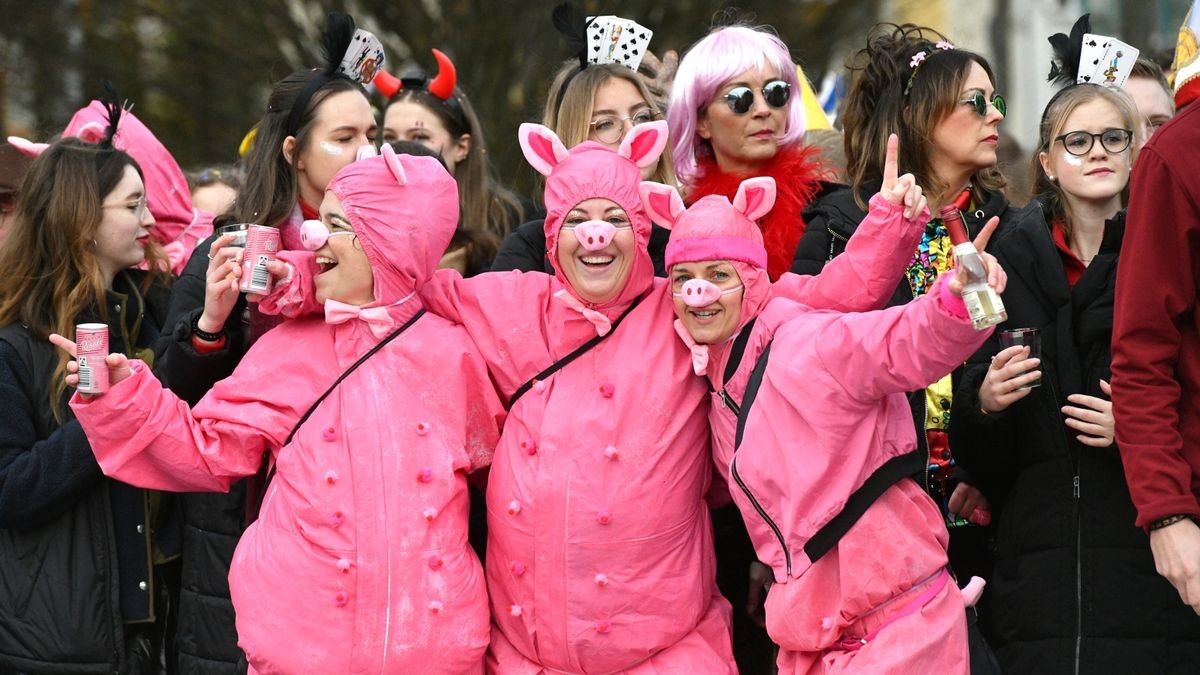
<point x="599" y="103"/>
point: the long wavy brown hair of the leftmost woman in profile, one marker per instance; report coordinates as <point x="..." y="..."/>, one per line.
<point x="51" y="270"/>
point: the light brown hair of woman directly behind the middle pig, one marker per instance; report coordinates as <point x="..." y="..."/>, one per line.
<point x="569" y="114"/>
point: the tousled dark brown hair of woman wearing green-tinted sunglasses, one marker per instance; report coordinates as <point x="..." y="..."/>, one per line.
<point x="878" y="106"/>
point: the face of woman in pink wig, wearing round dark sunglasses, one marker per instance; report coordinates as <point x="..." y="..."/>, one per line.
<point x="743" y="144"/>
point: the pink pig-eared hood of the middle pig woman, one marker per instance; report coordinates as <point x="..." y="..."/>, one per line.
<point x="592" y="171"/>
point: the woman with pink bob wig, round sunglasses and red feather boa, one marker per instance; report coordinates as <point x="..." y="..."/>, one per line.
<point x="736" y="114"/>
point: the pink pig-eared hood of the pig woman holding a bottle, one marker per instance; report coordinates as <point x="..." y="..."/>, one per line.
<point x="716" y="230"/>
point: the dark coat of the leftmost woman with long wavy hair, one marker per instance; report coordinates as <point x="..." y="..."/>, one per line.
<point x="75" y="547"/>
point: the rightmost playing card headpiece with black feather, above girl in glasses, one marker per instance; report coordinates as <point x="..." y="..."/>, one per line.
<point x="1088" y="58"/>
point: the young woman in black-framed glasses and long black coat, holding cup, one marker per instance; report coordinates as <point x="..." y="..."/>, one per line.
<point x="1075" y="587"/>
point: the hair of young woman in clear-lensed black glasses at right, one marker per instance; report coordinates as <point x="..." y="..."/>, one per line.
<point x="1054" y="118"/>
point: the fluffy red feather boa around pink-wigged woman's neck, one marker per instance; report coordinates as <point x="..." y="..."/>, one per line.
<point x="797" y="174"/>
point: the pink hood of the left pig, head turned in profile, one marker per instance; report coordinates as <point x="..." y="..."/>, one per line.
<point x="405" y="211"/>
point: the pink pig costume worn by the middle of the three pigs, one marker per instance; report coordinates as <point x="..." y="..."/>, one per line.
<point x="601" y="554"/>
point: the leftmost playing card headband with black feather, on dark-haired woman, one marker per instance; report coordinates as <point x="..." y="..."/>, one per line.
<point x="350" y="53"/>
